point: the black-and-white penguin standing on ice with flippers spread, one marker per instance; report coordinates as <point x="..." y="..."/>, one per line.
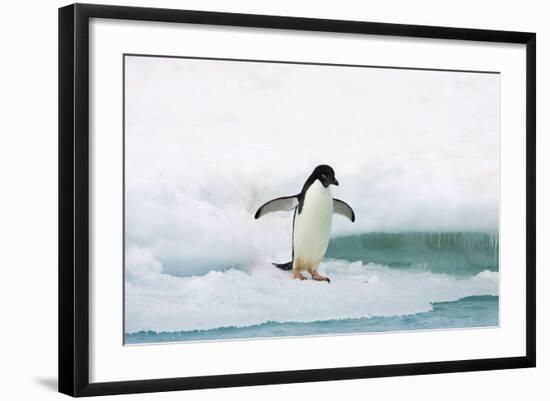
<point x="313" y="209"/>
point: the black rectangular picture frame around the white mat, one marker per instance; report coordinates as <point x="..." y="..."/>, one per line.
<point x="74" y="198"/>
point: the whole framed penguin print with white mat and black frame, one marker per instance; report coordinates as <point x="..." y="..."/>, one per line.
<point x="251" y="199"/>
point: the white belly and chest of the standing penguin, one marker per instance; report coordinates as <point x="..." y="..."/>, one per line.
<point x="312" y="228"/>
